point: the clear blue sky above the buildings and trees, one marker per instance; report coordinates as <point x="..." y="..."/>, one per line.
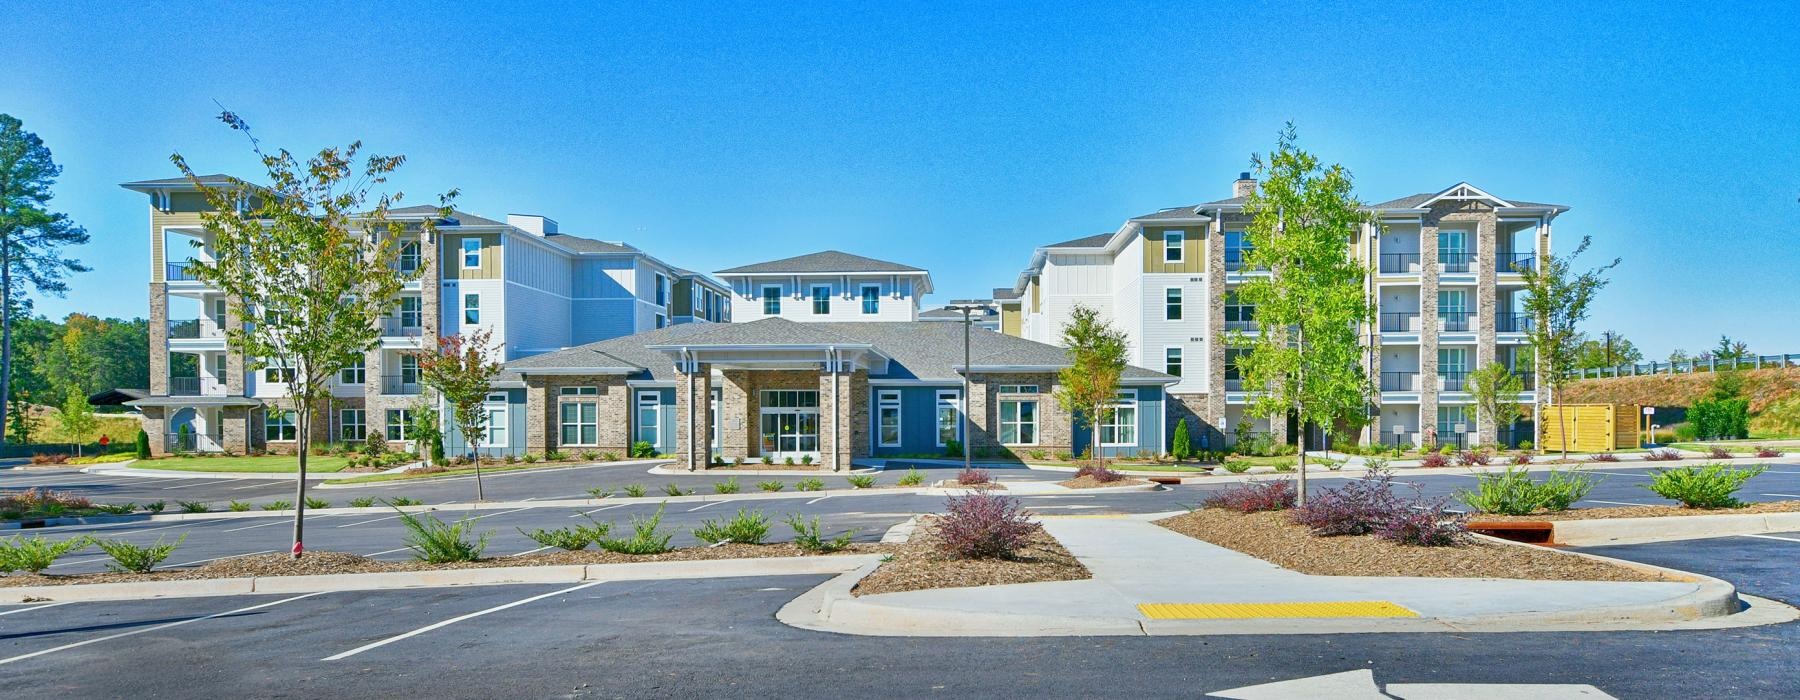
<point x="958" y="139"/>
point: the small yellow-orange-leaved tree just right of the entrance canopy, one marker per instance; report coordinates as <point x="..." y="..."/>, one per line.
<point x="1090" y="386"/>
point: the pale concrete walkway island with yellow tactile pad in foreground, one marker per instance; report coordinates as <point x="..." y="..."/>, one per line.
<point x="1137" y="562"/>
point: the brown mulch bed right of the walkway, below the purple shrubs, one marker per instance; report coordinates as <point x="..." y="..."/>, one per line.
<point x="1273" y="539"/>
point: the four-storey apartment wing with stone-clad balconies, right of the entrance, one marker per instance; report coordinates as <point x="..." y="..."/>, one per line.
<point x="1444" y="280"/>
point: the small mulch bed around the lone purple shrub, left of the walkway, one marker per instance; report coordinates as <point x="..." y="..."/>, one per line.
<point x="919" y="564"/>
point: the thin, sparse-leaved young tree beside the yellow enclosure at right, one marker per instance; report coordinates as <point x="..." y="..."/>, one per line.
<point x="1558" y="300"/>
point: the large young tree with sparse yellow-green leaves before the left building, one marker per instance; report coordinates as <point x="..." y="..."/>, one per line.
<point x="309" y="265"/>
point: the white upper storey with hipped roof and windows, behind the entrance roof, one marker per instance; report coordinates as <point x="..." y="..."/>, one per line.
<point x="827" y="287"/>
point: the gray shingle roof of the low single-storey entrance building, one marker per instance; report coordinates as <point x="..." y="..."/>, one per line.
<point x="921" y="350"/>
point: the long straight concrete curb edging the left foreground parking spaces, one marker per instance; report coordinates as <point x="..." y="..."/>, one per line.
<point x="638" y="571"/>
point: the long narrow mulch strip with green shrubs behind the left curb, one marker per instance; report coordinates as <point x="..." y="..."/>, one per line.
<point x="355" y="564"/>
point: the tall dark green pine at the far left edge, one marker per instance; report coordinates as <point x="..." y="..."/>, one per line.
<point x="31" y="237"/>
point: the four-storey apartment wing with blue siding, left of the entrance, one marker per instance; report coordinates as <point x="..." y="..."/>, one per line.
<point x="528" y="285"/>
